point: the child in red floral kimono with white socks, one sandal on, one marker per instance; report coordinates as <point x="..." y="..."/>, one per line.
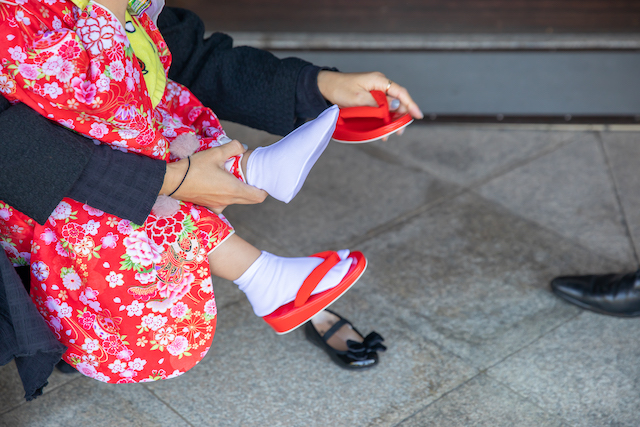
<point x="135" y="302"/>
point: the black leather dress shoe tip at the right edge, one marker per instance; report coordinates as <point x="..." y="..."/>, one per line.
<point x="612" y="294"/>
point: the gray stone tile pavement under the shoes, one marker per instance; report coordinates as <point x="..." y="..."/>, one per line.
<point x="463" y="227"/>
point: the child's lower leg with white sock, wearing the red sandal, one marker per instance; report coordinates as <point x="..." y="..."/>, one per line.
<point x="270" y="281"/>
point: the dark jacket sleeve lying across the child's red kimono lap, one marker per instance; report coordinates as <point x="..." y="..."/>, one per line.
<point x="42" y="162"/>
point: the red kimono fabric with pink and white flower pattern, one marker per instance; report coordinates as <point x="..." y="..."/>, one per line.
<point x="133" y="303"/>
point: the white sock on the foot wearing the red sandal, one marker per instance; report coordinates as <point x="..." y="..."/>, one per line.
<point x="272" y="281"/>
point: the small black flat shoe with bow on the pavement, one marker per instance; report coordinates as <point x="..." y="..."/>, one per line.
<point x="342" y="342"/>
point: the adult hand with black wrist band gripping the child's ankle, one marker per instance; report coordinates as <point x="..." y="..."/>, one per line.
<point x="208" y="183"/>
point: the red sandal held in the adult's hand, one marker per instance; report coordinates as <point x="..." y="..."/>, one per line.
<point x="357" y="125"/>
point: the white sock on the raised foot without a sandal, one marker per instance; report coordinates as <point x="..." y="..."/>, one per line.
<point x="281" y="168"/>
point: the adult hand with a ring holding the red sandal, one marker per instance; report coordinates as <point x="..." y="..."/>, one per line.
<point x="352" y="90"/>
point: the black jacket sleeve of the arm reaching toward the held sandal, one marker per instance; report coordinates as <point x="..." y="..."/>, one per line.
<point x="242" y="84"/>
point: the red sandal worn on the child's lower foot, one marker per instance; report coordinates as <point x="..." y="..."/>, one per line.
<point x="296" y="313"/>
